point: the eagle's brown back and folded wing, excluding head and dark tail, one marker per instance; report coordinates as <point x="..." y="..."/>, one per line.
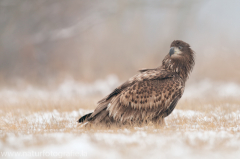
<point x="142" y="97"/>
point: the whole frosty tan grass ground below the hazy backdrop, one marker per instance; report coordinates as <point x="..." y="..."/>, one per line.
<point x="41" y="123"/>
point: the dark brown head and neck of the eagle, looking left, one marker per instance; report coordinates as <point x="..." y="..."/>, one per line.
<point x="180" y="58"/>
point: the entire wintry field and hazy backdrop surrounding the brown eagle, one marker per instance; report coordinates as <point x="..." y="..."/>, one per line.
<point x="59" y="57"/>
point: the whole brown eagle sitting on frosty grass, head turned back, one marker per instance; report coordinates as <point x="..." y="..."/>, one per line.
<point x="149" y="96"/>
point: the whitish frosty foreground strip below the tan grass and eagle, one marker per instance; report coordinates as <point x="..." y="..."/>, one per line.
<point x="130" y="145"/>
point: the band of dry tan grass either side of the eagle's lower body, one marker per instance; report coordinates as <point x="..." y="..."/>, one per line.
<point x="17" y="116"/>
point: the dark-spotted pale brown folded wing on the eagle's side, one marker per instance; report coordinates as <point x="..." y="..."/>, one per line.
<point x="146" y="99"/>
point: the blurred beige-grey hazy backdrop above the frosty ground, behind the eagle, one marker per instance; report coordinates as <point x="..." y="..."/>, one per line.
<point x="43" y="42"/>
